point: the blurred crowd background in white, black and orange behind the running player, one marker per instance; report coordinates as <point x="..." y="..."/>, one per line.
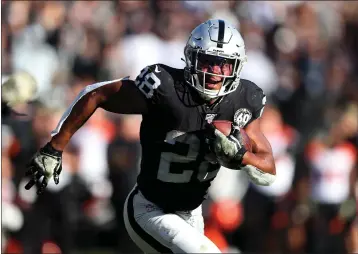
<point x="304" y="55"/>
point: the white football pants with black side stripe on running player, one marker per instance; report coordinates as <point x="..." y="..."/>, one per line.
<point x="157" y="232"/>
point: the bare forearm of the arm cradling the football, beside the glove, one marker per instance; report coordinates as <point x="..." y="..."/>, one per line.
<point x="261" y="160"/>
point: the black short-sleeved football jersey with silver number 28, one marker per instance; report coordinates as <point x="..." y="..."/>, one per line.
<point x="177" y="165"/>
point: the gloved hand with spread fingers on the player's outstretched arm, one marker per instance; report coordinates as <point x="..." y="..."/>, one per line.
<point x="47" y="162"/>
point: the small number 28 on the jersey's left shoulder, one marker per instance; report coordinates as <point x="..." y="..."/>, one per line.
<point x="147" y="81"/>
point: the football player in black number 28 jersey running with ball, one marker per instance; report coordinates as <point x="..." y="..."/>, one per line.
<point x="180" y="148"/>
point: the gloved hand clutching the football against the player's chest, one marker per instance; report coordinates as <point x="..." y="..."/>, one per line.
<point x="229" y="149"/>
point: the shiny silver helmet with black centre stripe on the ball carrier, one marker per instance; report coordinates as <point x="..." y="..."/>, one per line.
<point x="215" y="41"/>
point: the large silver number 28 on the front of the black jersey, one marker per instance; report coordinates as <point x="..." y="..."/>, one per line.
<point x="167" y="158"/>
